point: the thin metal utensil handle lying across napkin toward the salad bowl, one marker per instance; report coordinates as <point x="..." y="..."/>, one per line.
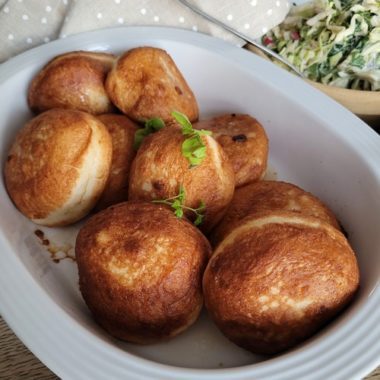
<point x="243" y="36"/>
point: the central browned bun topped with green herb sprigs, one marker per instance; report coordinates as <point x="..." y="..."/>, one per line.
<point x="160" y="169"/>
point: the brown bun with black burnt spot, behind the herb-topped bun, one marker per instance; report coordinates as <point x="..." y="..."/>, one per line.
<point x="244" y="140"/>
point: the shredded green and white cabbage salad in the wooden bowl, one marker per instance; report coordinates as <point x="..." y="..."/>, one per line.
<point x="335" y="42"/>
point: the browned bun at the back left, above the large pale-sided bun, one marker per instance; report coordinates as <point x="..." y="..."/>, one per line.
<point x="74" y="81"/>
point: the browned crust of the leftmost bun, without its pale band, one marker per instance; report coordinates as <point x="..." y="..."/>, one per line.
<point x="45" y="161"/>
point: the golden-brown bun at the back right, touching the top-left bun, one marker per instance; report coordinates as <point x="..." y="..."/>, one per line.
<point x="145" y="83"/>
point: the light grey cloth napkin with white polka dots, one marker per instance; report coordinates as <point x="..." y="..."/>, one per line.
<point x="28" y="23"/>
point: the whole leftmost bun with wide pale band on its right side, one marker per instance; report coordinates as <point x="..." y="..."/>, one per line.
<point x="58" y="166"/>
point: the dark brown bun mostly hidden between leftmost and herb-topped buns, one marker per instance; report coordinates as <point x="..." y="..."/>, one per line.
<point x="122" y="131"/>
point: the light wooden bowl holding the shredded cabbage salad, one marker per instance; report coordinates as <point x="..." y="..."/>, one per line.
<point x="365" y="104"/>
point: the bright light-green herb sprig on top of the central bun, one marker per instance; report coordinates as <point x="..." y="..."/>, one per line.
<point x="193" y="148"/>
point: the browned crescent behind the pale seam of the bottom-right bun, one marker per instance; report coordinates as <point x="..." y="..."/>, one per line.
<point x="270" y="195"/>
